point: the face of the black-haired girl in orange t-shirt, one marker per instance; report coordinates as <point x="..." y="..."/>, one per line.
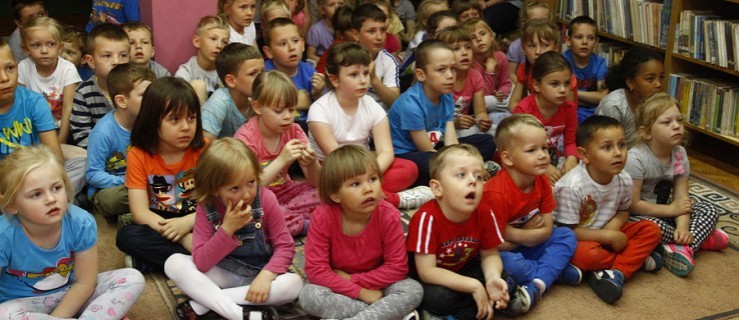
<point x="177" y="131"/>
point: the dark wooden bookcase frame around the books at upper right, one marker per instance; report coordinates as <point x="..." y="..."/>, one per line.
<point x="679" y="62"/>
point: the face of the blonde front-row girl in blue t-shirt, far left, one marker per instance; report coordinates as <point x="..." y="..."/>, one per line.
<point x="42" y="198"/>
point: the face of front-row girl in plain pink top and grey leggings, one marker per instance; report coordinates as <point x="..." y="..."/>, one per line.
<point x="361" y="194"/>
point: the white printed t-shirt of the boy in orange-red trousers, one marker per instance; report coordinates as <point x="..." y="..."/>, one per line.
<point x="586" y="203"/>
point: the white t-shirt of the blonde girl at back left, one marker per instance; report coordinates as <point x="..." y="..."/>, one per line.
<point x="51" y="87"/>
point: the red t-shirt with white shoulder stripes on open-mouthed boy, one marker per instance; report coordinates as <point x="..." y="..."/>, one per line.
<point x="454" y="244"/>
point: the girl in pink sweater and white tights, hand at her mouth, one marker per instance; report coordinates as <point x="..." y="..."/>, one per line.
<point x="241" y="247"/>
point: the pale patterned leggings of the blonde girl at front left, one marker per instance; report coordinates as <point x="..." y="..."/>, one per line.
<point x="114" y="295"/>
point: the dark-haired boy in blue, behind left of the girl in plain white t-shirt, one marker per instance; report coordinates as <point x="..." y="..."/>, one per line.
<point x="284" y="47"/>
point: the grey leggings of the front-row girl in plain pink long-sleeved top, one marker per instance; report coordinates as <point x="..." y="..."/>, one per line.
<point x="399" y="299"/>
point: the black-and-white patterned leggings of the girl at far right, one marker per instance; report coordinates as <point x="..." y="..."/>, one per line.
<point x="703" y="219"/>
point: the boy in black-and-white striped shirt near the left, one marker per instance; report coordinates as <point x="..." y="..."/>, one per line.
<point x="106" y="46"/>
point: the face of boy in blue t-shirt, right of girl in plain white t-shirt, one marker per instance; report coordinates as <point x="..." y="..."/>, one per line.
<point x="440" y="72"/>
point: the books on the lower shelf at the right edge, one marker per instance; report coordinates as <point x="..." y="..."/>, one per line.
<point x="710" y="104"/>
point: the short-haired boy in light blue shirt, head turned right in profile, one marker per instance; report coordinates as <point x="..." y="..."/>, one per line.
<point x="229" y="107"/>
